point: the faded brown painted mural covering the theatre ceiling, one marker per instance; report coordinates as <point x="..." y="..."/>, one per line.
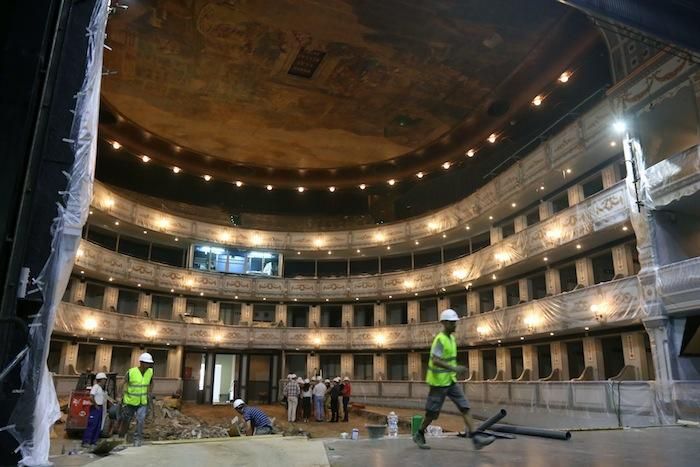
<point x="314" y="84"/>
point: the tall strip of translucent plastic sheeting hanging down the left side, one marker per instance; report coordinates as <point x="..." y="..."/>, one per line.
<point x="38" y="401"/>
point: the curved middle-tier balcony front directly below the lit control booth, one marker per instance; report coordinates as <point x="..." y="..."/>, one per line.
<point x="599" y="212"/>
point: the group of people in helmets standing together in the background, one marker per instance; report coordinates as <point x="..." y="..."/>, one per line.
<point x="324" y="395"/>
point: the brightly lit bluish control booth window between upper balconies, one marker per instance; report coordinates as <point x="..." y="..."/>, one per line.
<point x="236" y="261"/>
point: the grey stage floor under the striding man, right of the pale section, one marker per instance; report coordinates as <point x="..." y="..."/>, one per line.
<point x="674" y="446"/>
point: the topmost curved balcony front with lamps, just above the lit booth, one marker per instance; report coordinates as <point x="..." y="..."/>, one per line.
<point x="542" y="163"/>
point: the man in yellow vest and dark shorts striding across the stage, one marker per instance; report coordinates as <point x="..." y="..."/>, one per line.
<point x="442" y="379"/>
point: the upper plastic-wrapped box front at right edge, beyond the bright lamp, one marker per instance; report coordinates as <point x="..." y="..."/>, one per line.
<point x="674" y="178"/>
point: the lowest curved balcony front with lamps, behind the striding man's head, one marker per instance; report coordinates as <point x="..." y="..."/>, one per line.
<point x="612" y="303"/>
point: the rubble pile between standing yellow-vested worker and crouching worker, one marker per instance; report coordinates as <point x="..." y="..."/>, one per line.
<point x="168" y="423"/>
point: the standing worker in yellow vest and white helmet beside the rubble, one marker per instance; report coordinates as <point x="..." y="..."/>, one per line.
<point x="136" y="389"/>
